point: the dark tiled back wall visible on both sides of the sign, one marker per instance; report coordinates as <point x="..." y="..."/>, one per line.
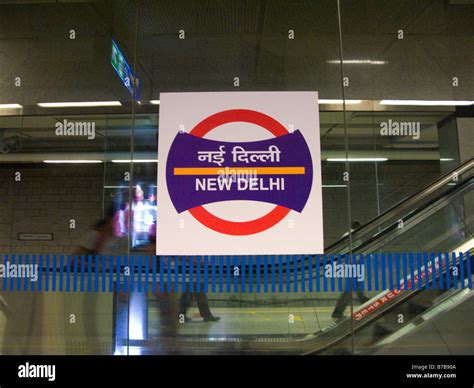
<point x="48" y="196"/>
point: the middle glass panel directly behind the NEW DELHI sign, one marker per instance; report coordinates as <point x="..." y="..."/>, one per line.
<point x="240" y="48"/>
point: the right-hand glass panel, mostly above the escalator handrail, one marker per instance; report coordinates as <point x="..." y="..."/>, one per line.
<point x="403" y="65"/>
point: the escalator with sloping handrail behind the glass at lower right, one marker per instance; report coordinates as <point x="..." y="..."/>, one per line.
<point x="435" y="222"/>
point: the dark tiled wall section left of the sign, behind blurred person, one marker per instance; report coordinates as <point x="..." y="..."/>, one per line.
<point x="44" y="201"/>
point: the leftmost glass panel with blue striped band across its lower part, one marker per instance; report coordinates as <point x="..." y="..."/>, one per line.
<point x="53" y="168"/>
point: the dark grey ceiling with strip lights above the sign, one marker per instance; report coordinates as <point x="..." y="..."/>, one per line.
<point x="225" y="39"/>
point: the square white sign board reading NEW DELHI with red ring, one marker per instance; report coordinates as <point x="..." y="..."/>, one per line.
<point x="239" y="173"/>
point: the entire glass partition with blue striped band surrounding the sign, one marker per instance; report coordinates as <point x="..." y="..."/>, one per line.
<point x="80" y="179"/>
